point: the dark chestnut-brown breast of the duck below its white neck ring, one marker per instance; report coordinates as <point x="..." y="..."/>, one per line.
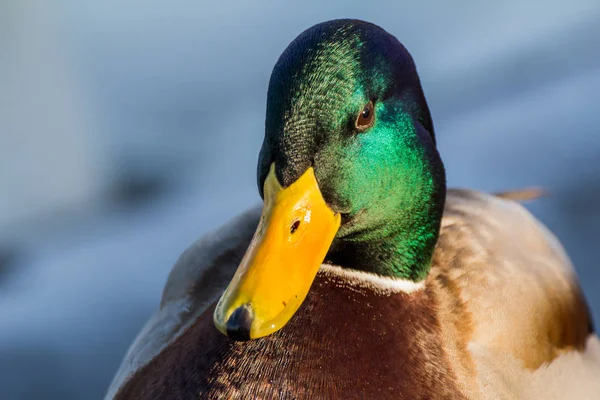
<point x="343" y="343"/>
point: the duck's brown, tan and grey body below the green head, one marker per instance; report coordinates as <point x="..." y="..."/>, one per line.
<point x="393" y="341"/>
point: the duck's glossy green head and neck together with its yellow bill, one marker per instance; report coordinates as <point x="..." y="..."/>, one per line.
<point x="348" y="171"/>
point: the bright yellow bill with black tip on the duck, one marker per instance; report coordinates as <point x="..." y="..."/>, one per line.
<point x="293" y="236"/>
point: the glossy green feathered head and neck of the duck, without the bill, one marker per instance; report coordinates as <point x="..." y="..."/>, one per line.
<point x="345" y="99"/>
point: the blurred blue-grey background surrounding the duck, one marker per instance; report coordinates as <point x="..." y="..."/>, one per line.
<point x="130" y="128"/>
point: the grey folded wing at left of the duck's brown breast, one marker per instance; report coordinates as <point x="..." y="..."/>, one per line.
<point x="198" y="278"/>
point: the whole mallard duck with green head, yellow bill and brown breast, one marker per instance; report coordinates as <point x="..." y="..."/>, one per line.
<point x="362" y="276"/>
